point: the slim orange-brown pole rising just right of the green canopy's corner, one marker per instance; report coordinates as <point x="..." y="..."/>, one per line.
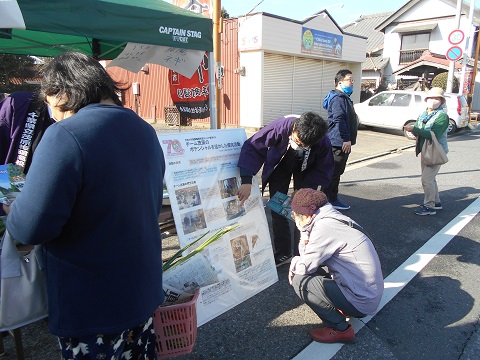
<point x="217" y="53"/>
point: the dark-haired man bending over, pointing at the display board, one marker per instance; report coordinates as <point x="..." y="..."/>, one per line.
<point x="289" y="146"/>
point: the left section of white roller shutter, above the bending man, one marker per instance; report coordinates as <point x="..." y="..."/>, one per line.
<point x="278" y="87"/>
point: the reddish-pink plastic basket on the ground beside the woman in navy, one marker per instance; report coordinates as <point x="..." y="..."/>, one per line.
<point x="176" y="328"/>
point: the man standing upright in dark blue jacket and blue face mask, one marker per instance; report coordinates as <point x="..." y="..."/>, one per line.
<point x="342" y="130"/>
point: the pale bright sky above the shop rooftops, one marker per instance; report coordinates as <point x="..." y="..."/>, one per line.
<point x="301" y="9"/>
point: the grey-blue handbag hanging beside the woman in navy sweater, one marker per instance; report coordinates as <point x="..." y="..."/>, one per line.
<point x="23" y="287"/>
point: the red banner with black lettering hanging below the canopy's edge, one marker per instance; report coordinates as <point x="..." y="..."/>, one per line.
<point x="190" y="95"/>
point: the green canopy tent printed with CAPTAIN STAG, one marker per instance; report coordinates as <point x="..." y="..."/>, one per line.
<point x="100" y="28"/>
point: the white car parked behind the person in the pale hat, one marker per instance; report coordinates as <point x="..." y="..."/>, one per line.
<point x="396" y="108"/>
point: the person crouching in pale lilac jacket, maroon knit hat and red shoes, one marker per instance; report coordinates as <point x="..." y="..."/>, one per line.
<point x="338" y="272"/>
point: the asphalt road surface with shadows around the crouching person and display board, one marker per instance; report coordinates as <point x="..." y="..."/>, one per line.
<point x="431" y="310"/>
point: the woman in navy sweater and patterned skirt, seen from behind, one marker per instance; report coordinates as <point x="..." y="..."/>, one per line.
<point x="92" y="198"/>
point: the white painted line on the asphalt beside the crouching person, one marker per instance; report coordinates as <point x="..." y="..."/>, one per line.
<point x="399" y="278"/>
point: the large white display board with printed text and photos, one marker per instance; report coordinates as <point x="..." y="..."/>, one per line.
<point x="202" y="180"/>
